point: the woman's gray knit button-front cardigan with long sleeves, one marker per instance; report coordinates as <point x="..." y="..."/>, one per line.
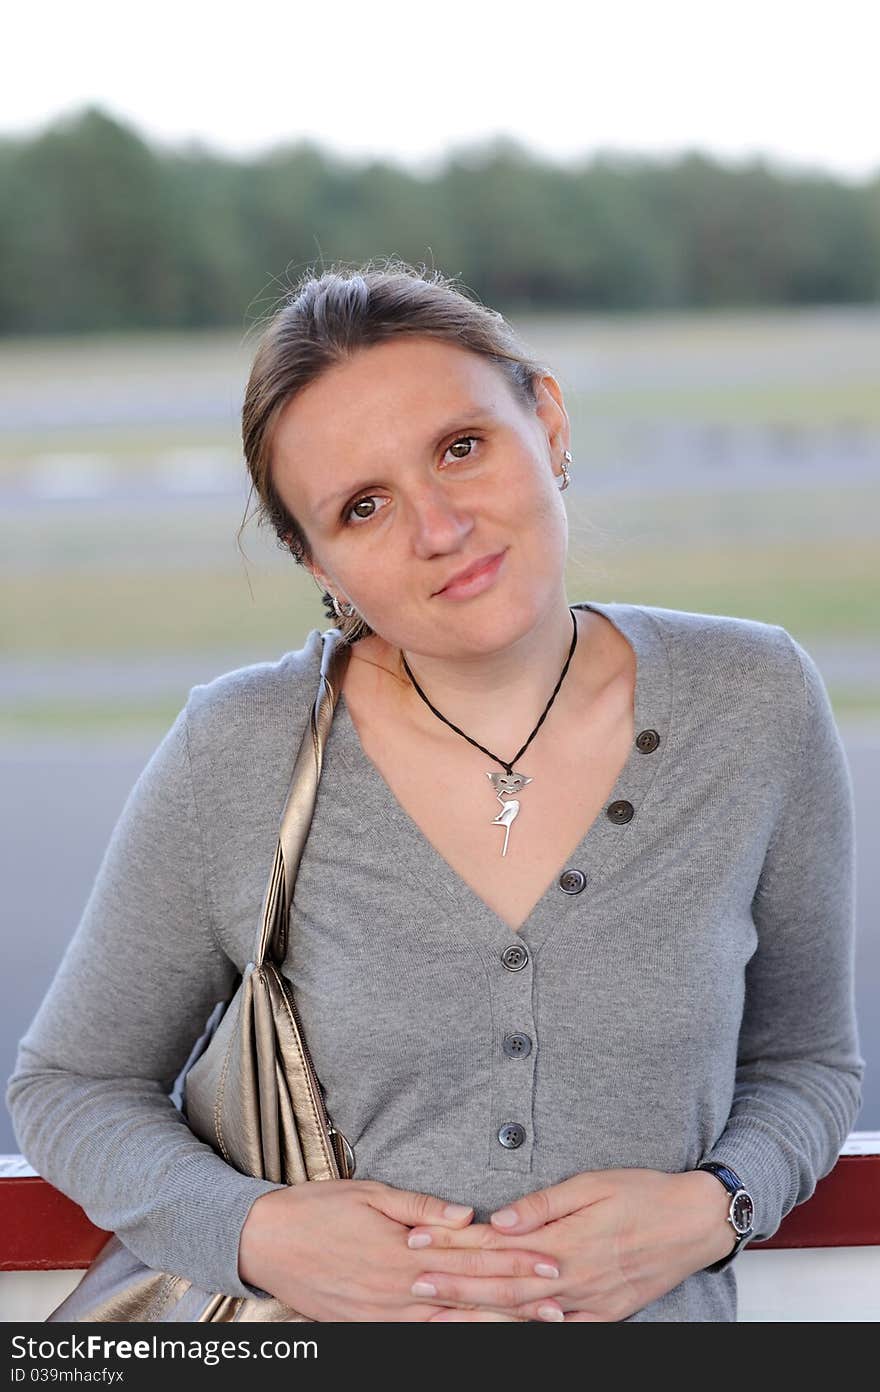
<point x="693" y="1002"/>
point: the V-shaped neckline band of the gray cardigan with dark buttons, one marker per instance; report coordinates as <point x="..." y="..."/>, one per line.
<point x="605" y="846"/>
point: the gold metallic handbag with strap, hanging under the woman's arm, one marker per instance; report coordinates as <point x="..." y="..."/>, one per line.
<point x="253" y="1095"/>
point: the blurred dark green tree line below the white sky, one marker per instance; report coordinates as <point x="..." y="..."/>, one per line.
<point x="100" y="230"/>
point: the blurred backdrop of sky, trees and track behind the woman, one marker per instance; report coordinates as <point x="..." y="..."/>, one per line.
<point x="684" y="225"/>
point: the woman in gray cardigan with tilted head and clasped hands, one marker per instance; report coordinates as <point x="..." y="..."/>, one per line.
<point x="574" y="917"/>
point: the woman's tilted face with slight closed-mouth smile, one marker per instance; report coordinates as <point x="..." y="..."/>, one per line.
<point x="409" y="464"/>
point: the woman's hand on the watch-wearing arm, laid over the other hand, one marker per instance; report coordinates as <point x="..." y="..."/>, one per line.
<point x="616" y="1238"/>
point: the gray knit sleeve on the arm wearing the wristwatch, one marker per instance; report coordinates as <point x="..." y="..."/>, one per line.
<point x="800" y="1071"/>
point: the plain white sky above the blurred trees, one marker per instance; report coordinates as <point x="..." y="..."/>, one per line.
<point x="790" y="79"/>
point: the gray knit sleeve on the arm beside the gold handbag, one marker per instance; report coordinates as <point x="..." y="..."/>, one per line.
<point x="90" y="1093"/>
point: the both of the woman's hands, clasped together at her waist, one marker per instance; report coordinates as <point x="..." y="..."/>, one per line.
<point x="598" y="1247"/>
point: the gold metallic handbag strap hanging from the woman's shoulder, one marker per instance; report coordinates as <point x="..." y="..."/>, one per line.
<point x="300" y="805"/>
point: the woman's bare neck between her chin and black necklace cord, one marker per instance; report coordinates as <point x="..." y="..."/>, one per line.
<point x="496" y="698"/>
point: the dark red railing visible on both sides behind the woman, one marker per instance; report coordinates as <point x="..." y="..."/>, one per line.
<point x="41" y="1230"/>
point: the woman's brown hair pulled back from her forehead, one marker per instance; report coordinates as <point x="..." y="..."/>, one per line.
<point x="325" y="321"/>
